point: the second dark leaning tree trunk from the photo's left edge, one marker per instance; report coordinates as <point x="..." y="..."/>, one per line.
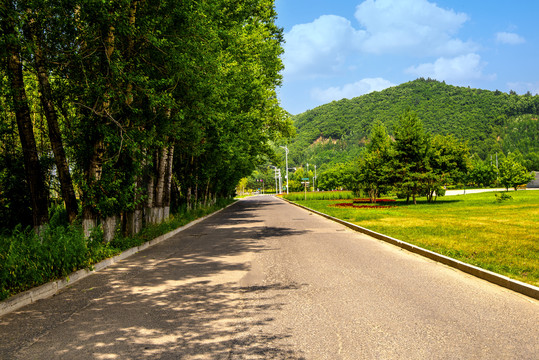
<point x="66" y="184"/>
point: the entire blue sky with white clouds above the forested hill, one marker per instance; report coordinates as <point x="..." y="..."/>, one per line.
<point x="347" y="48"/>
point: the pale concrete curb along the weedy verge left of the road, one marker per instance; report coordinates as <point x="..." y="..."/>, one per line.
<point x="50" y="289"/>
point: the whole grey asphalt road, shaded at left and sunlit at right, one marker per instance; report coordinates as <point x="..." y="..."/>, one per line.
<point x="266" y="280"/>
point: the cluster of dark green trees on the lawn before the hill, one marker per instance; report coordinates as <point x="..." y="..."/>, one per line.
<point x="413" y="163"/>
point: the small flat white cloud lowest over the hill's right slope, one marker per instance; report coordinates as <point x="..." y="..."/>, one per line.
<point x="456" y="70"/>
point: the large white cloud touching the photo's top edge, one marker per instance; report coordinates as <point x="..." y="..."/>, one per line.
<point x="411" y="27"/>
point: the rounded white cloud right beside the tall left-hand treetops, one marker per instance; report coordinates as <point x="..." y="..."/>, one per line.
<point x="321" y="46"/>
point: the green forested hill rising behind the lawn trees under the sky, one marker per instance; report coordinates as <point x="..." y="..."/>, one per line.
<point x="490" y="121"/>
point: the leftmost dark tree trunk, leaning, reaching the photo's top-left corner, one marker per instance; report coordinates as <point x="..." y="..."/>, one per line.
<point x="38" y="190"/>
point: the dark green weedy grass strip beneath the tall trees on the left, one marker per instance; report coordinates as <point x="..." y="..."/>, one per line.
<point x="27" y="260"/>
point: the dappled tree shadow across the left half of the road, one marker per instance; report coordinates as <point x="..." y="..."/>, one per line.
<point x="177" y="300"/>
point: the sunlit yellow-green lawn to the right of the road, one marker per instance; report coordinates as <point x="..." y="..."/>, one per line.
<point x="478" y="229"/>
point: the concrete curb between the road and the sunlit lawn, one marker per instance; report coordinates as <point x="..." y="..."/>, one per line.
<point x="515" y="285"/>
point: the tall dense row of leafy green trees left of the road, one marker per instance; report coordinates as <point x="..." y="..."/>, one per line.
<point x="122" y="109"/>
